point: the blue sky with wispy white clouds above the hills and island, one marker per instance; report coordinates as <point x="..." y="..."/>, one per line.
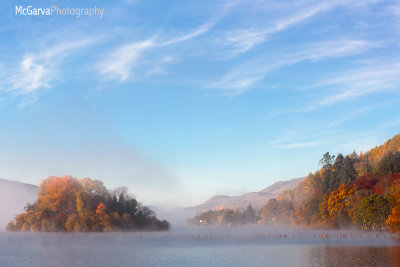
<point x="183" y="100"/>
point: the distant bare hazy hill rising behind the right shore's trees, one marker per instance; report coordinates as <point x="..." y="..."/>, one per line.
<point x="256" y="199"/>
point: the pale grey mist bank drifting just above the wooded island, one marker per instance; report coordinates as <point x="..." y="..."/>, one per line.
<point x="115" y="165"/>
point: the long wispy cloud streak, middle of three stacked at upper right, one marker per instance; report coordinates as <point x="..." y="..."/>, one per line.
<point x="243" y="77"/>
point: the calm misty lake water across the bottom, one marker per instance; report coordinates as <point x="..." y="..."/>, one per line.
<point x="202" y="247"/>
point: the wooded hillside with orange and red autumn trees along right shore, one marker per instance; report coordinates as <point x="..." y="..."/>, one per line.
<point x="357" y="190"/>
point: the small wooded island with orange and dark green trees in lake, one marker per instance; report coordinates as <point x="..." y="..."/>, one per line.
<point x="68" y="204"/>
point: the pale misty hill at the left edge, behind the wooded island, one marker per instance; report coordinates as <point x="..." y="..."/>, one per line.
<point x="13" y="198"/>
